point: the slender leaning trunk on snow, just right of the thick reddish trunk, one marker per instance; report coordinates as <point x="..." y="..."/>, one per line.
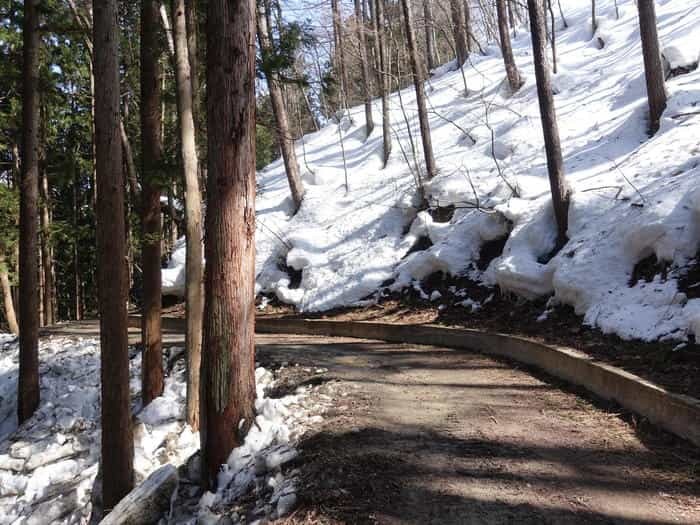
<point x="284" y="134"/>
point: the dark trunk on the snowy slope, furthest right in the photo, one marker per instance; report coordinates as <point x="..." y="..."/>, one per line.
<point x="653" y="68"/>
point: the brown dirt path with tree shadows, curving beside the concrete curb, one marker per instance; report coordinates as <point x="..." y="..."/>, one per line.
<point x="429" y="435"/>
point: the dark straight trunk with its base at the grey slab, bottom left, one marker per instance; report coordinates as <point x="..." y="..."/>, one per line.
<point x="117" y="435"/>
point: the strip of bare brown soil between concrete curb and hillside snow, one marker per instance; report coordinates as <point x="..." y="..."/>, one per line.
<point x="675" y="369"/>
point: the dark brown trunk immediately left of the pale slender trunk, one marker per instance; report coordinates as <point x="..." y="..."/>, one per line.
<point x="151" y="183"/>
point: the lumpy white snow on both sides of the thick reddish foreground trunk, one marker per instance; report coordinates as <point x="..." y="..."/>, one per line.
<point x="50" y="461"/>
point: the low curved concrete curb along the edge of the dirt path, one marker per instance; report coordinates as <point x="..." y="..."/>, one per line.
<point x="676" y="413"/>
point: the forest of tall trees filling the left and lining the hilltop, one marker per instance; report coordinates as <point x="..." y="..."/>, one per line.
<point x="126" y="125"/>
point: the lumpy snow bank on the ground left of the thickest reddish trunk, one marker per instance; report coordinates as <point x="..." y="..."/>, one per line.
<point x="52" y="459"/>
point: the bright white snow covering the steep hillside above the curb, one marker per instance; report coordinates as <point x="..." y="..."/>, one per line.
<point x="634" y="196"/>
